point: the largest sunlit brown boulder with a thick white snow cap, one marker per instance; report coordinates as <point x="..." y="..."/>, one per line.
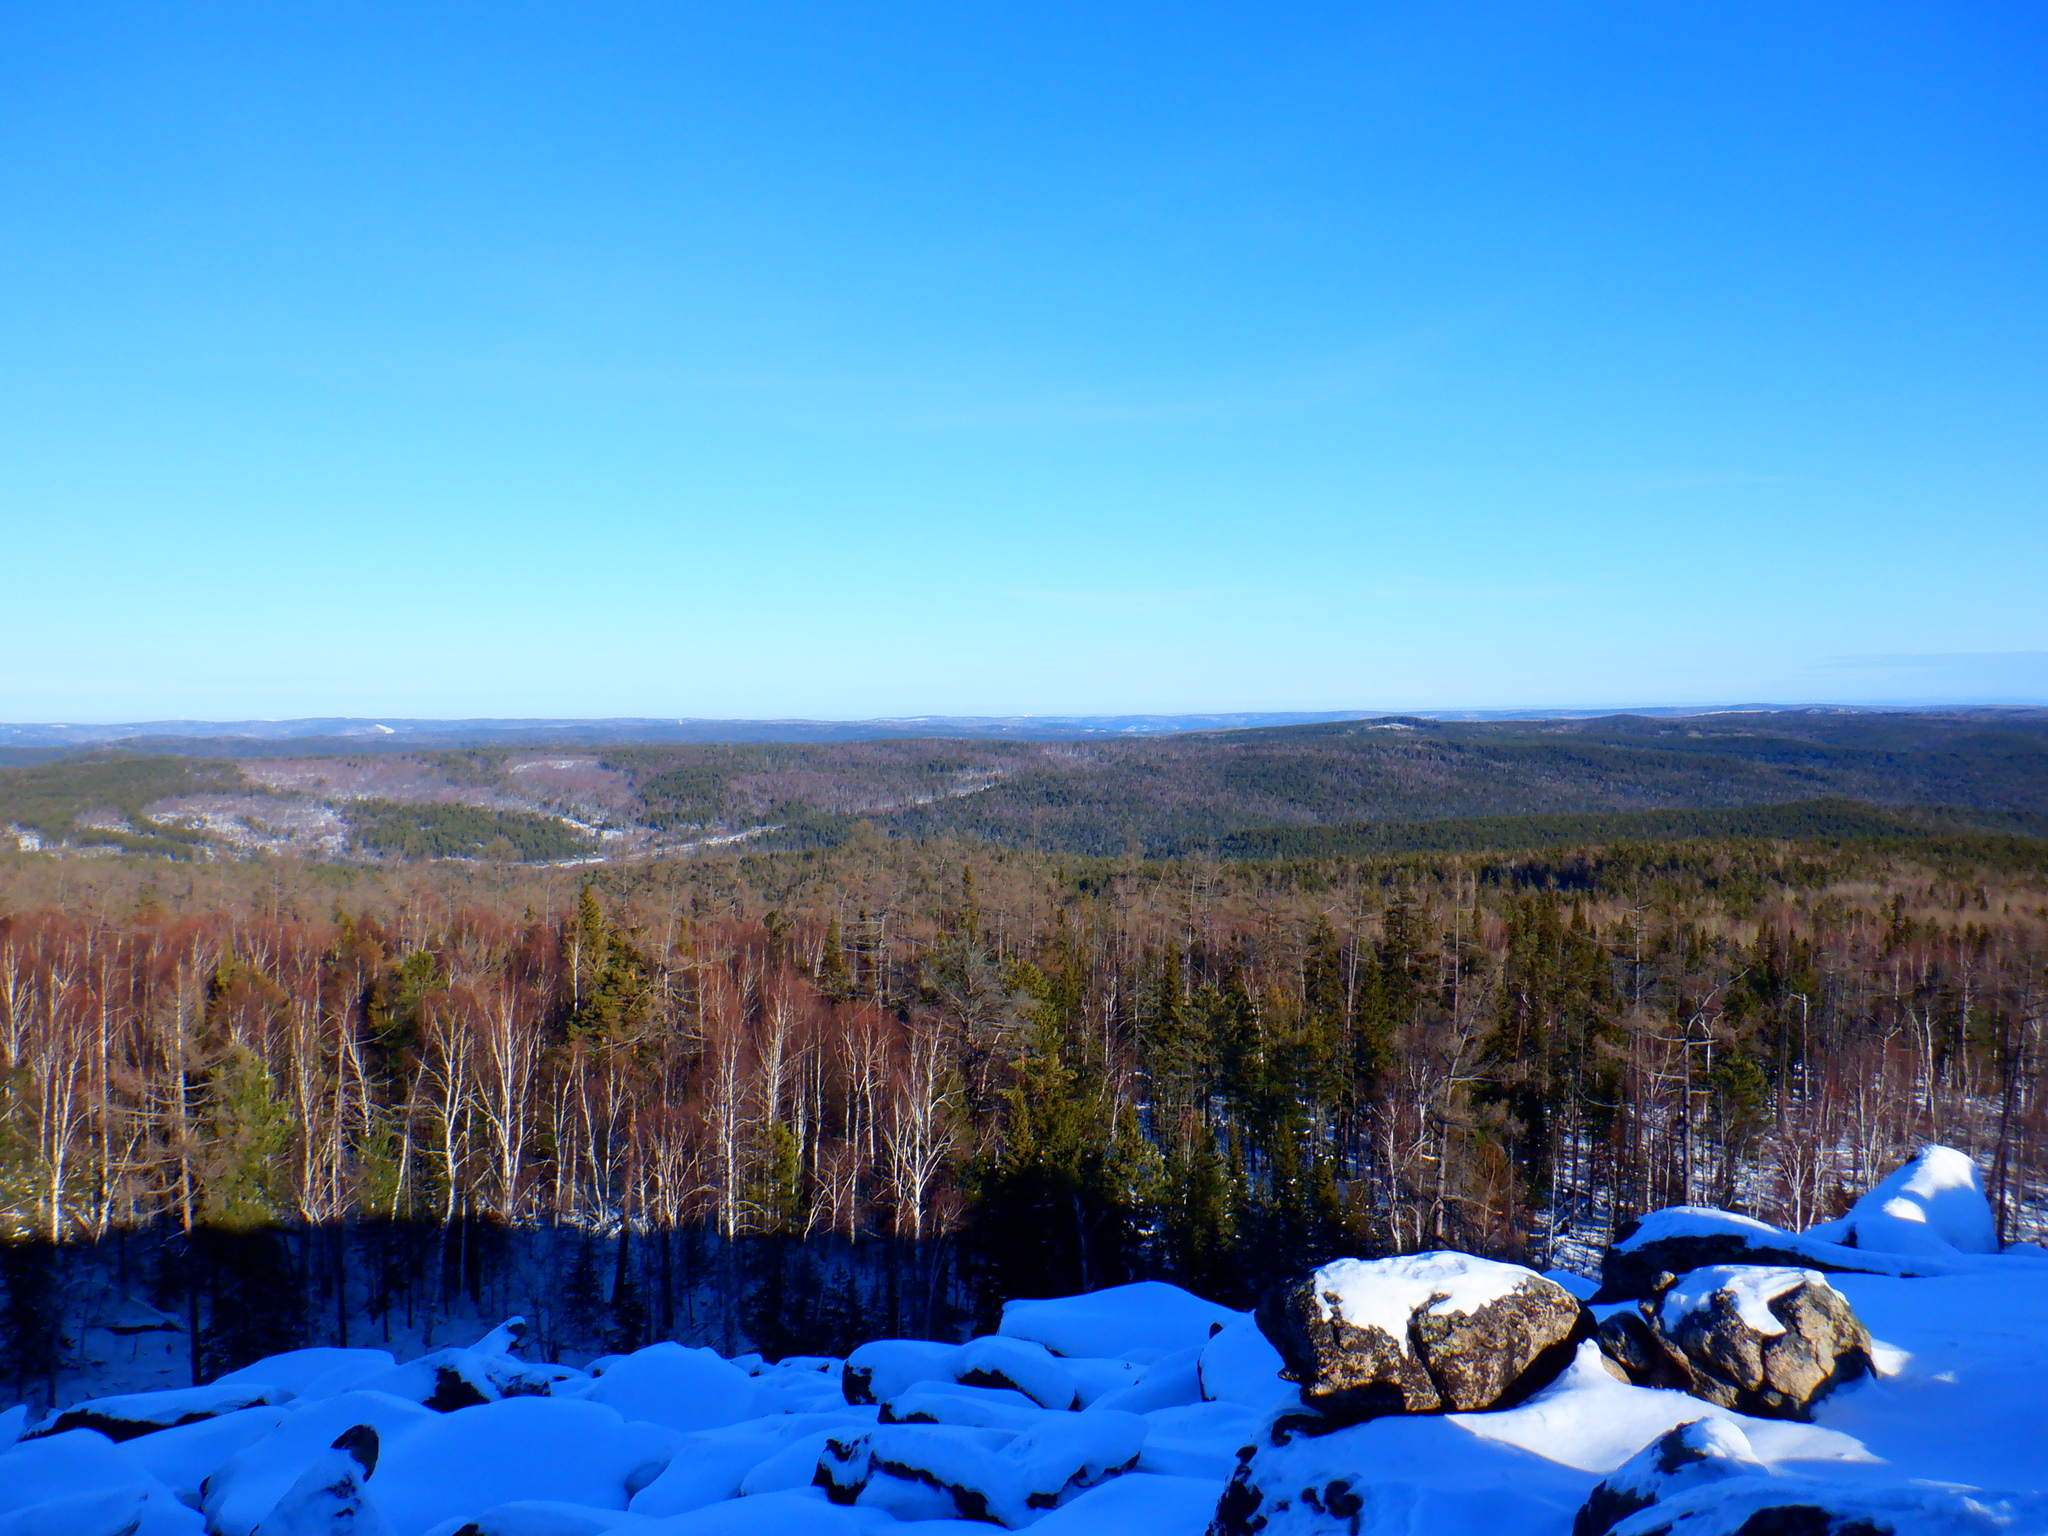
<point x="1422" y="1334"/>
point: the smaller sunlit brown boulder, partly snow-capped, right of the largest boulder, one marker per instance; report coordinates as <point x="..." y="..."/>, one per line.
<point x="1760" y="1340"/>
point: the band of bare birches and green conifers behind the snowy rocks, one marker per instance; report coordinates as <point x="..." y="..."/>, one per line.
<point x="1033" y="1076"/>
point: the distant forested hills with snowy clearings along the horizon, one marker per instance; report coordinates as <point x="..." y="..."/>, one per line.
<point x="1340" y="787"/>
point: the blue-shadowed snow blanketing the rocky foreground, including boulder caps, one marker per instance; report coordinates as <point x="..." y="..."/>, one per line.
<point x="1129" y="1412"/>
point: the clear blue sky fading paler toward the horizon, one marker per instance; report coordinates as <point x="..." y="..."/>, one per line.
<point x="996" y="357"/>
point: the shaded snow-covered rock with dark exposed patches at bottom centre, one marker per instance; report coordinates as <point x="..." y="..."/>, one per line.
<point x="980" y="1474"/>
